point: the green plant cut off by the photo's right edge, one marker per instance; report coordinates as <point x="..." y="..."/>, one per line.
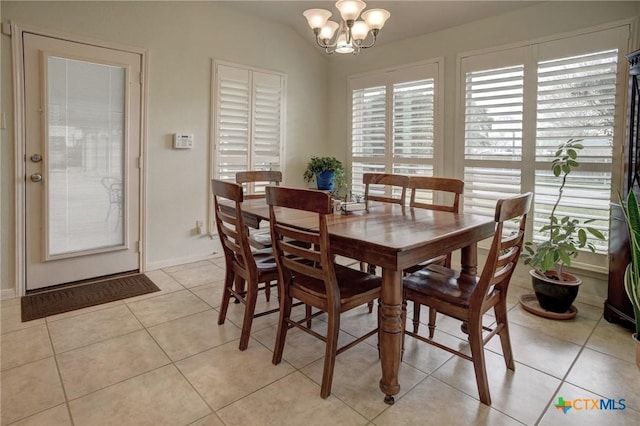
<point x="632" y="274"/>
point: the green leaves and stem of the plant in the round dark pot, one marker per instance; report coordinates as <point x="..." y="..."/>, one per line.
<point x="565" y="236"/>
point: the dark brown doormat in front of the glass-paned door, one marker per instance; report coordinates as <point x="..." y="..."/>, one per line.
<point x="67" y="299"/>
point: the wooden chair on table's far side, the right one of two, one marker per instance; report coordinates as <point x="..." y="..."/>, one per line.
<point x="424" y="192"/>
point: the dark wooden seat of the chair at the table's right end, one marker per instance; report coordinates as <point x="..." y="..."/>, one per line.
<point x="441" y="283"/>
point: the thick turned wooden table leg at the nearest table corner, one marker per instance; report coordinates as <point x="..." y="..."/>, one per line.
<point x="390" y="332"/>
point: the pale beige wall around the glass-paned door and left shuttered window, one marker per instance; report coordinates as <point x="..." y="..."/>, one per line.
<point x="182" y="38"/>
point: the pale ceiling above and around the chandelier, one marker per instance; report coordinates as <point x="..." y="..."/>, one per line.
<point x="408" y="18"/>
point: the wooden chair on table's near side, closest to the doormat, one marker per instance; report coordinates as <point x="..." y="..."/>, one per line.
<point x="245" y="269"/>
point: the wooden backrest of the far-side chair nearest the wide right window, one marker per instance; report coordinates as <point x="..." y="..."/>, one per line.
<point x="451" y="188"/>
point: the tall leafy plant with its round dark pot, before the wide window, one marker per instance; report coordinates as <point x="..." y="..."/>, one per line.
<point x="556" y="289"/>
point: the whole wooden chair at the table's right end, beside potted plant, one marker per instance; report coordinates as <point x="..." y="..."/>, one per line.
<point x="467" y="298"/>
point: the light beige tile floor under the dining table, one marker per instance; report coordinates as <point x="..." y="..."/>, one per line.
<point x="161" y="359"/>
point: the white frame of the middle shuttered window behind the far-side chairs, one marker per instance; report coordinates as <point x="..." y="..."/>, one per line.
<point x="388" y="77"/>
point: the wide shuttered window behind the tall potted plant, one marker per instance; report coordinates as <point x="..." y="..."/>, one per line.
<point x="521" y="103"/>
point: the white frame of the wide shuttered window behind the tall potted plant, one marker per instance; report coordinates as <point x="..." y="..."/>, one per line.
<point x="529" y="54"/>
